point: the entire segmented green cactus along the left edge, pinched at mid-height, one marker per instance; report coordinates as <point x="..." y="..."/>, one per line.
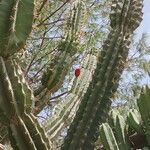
<point x="16" y="98"/>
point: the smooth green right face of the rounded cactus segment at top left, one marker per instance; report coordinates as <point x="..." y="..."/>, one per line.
<point x="20" y="27"/>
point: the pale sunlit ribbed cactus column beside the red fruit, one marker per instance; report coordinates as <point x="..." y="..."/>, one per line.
<point x="65" y="109"/>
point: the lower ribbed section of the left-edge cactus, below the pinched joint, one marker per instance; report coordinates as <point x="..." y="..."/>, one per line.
<point x="22" y="129"/>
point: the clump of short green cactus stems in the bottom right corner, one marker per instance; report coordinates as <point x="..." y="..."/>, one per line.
<point x="136" y="120"/>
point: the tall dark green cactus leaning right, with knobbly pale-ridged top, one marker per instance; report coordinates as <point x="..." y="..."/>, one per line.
<point x="125" y="18"/>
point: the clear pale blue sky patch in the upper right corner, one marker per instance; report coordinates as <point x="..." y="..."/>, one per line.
<point x="145" y="24"/>
